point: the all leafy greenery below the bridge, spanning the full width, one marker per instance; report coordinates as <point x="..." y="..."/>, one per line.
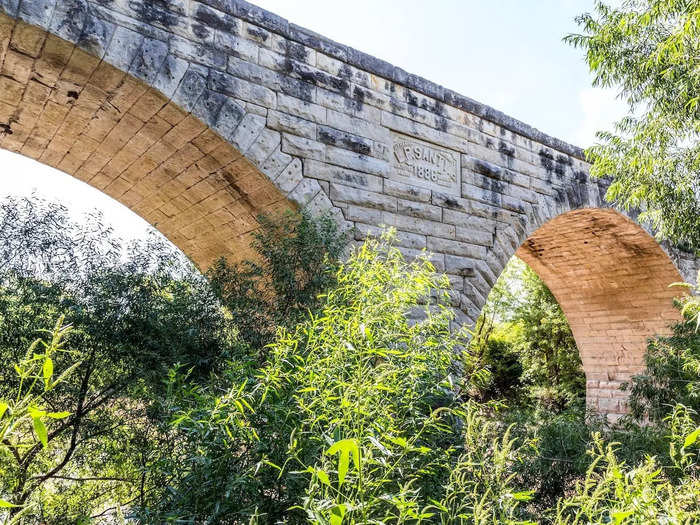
<point x="364" y="408"/>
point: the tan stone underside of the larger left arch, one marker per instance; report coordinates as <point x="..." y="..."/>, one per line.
<point x="72" y="111"/>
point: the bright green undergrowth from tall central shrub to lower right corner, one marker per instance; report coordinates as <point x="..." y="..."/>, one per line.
<point x="358" y="417"/>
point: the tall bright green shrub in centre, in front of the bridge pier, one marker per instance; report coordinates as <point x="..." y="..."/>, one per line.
<point x="354" y="418"/>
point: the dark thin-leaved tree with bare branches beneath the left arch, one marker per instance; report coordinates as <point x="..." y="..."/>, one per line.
<point x="134" y="312"/>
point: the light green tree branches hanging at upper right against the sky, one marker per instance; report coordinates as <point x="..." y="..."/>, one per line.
<point x="650" y="51"/>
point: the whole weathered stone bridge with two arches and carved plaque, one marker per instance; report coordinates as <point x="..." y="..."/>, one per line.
<point x="199" y="115"/>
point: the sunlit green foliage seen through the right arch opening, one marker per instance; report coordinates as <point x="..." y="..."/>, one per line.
<point x="524" y="339"/>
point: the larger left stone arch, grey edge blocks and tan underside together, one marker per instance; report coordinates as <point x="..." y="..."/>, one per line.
<point x="144" y="127"/>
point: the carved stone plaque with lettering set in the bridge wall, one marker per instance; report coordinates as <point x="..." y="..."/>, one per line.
<point x="423" y="164"/>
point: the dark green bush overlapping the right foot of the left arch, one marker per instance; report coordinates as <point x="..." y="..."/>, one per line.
<point x="297" y="258"/>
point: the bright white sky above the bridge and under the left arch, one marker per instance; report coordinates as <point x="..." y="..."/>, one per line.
<point x="505" y="53"/>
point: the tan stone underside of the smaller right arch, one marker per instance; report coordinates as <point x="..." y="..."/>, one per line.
<point x="611" y="279"/>
